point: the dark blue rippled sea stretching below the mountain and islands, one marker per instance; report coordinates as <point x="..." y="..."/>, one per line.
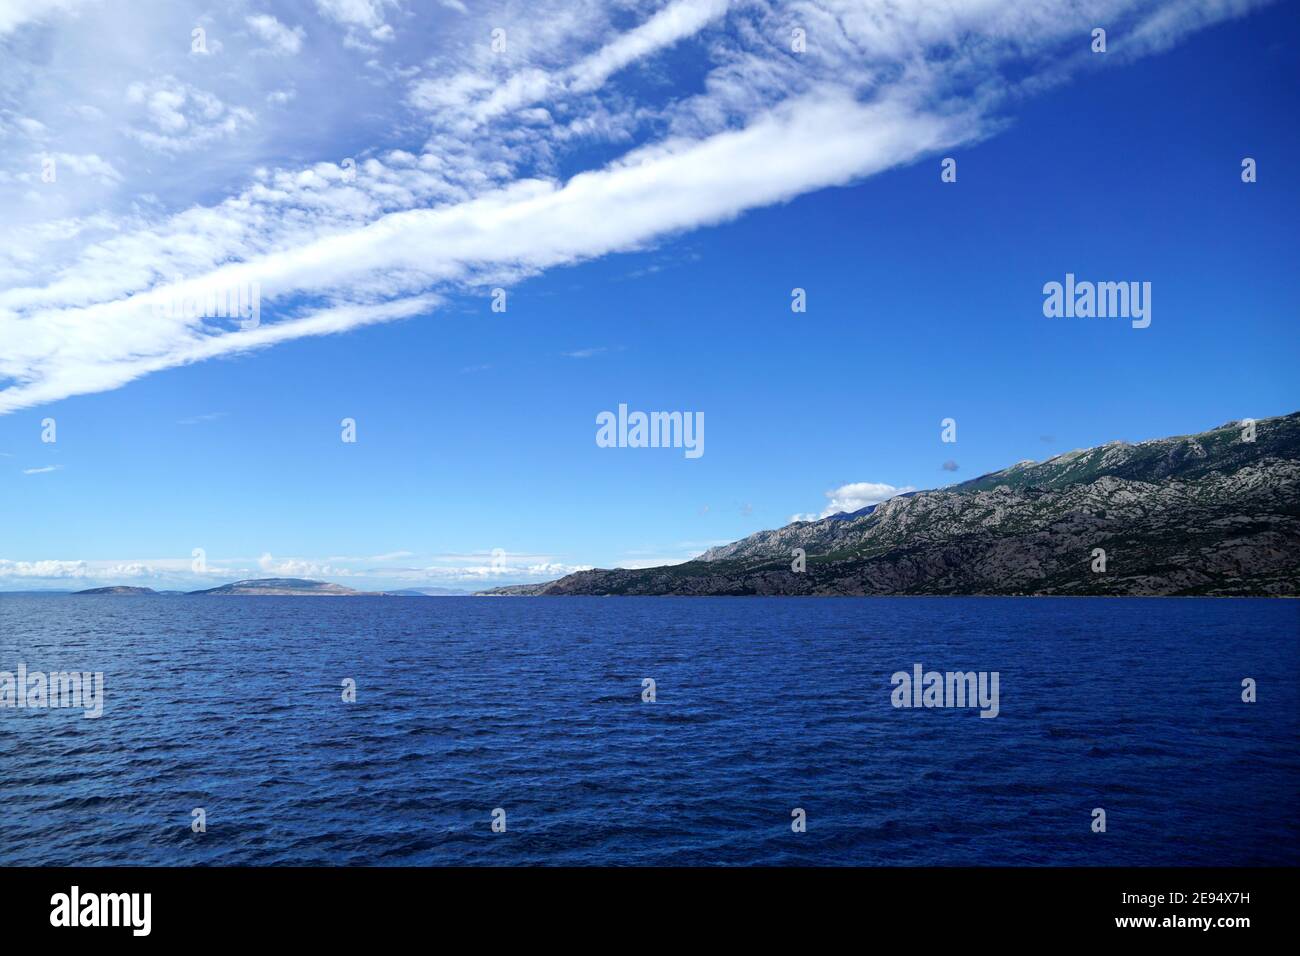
<point x="764" y="706"/>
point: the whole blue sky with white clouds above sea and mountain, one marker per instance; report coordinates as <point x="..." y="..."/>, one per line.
<point x="473" y="228"/>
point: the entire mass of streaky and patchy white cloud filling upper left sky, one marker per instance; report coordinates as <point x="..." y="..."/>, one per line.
<point x="430" y="217"/>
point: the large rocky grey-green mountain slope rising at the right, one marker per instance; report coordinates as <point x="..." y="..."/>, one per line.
<point x="1202" y="514"/>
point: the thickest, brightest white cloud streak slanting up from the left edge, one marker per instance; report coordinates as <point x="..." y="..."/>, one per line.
<point x="71" y="347"/>
